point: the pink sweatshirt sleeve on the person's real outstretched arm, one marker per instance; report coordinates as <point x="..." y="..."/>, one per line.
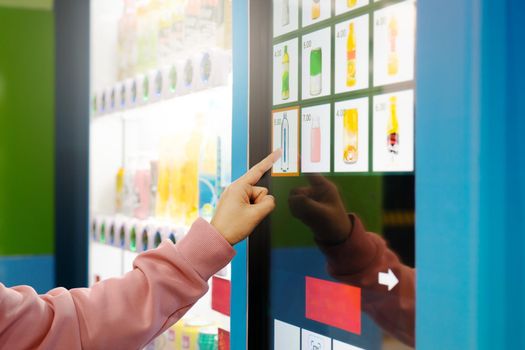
<point x="118" y="313"/>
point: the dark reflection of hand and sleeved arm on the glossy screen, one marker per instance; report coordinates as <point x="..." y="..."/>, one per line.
<point x="356" y="257"/>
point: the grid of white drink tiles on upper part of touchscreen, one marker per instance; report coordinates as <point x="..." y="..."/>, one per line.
<point x="335" y="109"/>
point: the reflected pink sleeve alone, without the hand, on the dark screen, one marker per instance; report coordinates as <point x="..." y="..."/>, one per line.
<point x="358" y="261"/>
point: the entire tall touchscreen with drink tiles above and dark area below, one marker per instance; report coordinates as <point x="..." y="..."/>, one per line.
<point x="341" y="265"/>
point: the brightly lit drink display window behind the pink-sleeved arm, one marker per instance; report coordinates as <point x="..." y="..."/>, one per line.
<point x="160" y="141"/>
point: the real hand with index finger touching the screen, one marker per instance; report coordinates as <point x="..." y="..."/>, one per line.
<point x="243" y="205"/>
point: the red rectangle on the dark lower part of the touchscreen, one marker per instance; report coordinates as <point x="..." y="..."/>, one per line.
<point x="335" y="304"/>
